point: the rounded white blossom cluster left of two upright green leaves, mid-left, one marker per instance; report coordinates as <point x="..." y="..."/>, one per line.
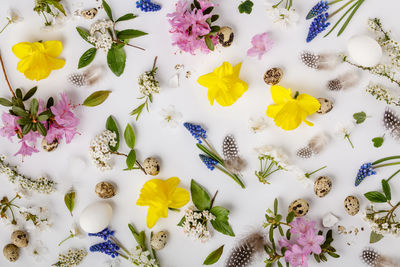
<point x="99" y="150"/>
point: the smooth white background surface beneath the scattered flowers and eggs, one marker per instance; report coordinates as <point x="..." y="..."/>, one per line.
<point x="176" y="148"/>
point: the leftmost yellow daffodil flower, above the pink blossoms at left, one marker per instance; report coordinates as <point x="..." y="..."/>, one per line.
<point x="38" y="59"/>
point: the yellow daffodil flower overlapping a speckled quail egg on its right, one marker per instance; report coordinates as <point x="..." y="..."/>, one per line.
<point x="289" y="112"/>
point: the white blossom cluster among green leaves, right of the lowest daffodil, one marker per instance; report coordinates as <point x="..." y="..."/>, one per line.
<point x="195" y="224"/>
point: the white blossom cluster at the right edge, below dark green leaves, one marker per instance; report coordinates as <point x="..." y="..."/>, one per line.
<point x="380" y="224"/>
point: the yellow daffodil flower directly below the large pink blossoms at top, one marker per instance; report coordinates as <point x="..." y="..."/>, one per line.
<point x="224" y="84"/>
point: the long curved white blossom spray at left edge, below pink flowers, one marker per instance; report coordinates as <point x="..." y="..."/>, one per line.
<point x="41" y="185"/>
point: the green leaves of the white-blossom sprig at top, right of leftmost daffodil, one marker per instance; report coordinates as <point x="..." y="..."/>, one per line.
<point x="116" y="57"/>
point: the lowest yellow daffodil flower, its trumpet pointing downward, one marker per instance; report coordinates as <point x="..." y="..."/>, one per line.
<point x="160" y="195"/>
